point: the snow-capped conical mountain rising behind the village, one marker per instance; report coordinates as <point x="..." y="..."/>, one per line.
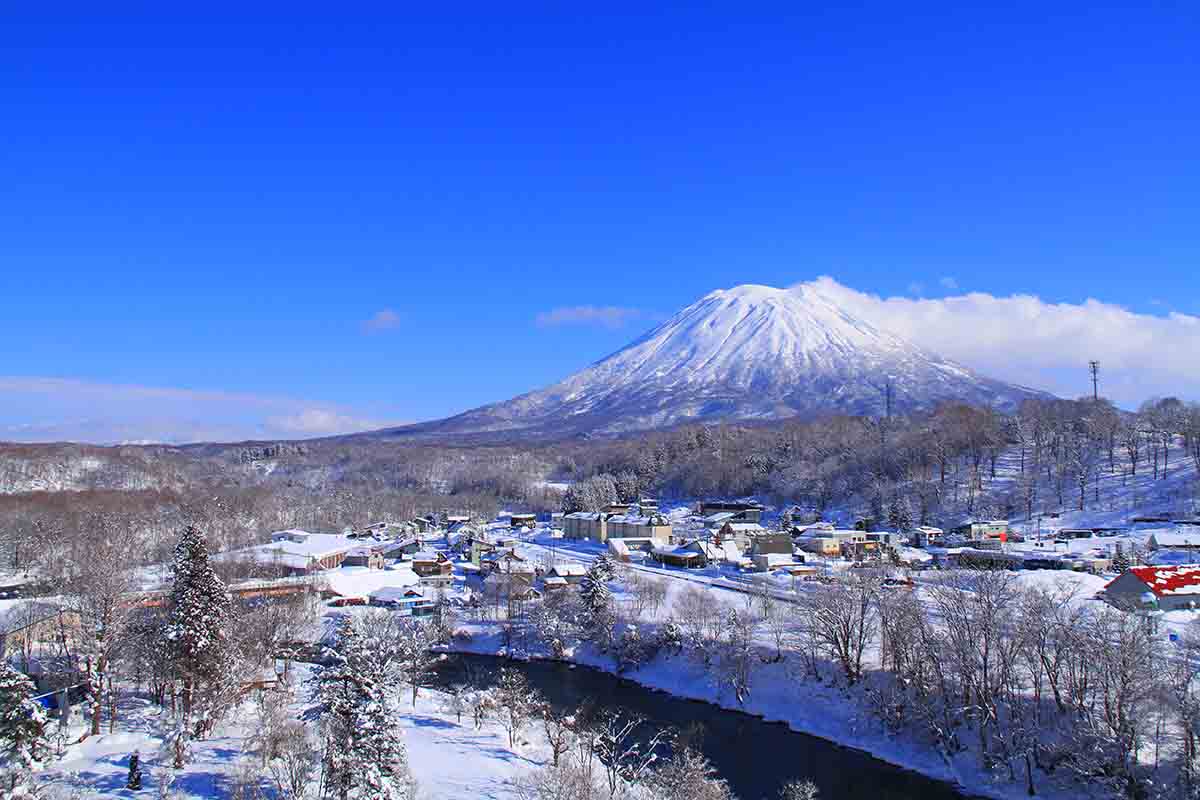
<point x="751" y="352"/>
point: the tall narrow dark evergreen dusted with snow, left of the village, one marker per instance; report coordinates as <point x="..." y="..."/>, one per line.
<point x="199" y="613"/>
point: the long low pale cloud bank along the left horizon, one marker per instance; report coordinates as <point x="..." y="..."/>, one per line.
<point x="62" y="410"/>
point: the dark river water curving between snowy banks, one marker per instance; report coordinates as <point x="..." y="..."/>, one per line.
<point x="758" y="759"/>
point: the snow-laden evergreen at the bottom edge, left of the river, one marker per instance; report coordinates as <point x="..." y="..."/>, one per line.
<point x="365" y="755"/>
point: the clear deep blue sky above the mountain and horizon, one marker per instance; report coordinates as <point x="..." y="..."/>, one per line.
<point x="224" y="203"/>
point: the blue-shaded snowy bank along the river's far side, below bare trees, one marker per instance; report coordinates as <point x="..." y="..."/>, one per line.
<point x="806" y="707"/>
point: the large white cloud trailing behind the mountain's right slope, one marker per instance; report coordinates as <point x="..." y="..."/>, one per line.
<point x="1023" y="339"/>
